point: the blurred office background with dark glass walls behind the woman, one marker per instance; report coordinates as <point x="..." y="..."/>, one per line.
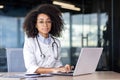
<point x="93" y="23"/>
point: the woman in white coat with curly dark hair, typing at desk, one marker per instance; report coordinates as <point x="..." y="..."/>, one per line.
<point x="41" y="48"/>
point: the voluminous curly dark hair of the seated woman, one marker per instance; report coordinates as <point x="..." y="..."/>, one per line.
<point x="52" y="11"/>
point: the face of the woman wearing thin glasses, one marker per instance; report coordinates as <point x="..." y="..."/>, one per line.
<point x="43" y="24"/>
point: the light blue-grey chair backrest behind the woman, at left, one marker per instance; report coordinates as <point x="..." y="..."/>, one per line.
<point x="15" y="61"/>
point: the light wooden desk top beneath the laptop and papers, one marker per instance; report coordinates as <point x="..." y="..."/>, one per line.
<point x="100" y="75"/>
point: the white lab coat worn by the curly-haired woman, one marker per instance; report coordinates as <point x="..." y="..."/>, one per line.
<point x="32" y="55"/>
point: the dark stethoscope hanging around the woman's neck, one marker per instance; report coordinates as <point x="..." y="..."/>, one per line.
<point x="53" y="46"/>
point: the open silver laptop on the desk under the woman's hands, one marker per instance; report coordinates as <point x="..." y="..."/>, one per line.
<point x="87" y="62"/>
